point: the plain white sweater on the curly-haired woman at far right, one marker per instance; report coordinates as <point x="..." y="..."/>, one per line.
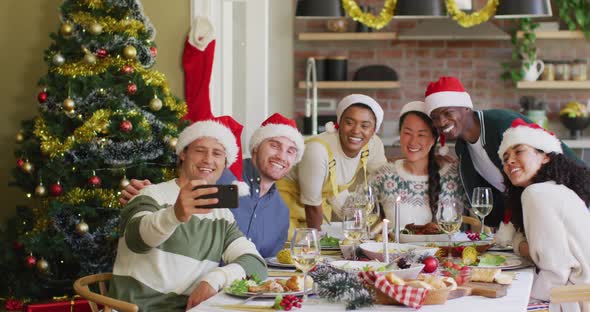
<point x="556" y="224"/>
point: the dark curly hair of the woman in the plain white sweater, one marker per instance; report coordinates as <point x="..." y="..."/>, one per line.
<point x="559" y="168"/>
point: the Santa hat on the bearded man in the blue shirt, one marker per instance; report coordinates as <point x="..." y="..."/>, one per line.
<point x="278" y="125"/>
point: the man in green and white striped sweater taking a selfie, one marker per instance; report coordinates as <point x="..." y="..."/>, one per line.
<point x="169" y="256"/>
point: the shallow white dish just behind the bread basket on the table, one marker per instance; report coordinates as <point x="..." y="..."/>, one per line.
<point x="363" y="266"/>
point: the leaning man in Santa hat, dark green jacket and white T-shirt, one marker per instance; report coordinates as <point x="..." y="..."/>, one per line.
<point x="478" y="135"/>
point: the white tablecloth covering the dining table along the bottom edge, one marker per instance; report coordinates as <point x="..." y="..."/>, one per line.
<point x="515" y="301"/>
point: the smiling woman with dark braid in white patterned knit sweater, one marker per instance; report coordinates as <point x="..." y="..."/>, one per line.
<point x="417" y="179"/>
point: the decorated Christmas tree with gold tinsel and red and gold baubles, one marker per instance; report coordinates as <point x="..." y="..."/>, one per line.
<point x="103" y="115"/>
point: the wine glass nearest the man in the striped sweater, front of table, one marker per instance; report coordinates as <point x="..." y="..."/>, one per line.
<point x="305" y="251"/>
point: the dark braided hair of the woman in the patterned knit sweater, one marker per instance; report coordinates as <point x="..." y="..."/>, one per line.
<point x="433" y="168"/>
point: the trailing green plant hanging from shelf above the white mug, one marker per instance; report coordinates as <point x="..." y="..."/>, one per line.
<point x="524" y="52"/>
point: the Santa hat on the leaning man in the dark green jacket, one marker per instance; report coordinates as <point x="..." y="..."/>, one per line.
<point x="446" y="92"/>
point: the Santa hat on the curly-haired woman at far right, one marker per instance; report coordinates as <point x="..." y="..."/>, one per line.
<point x="531" y="134"/>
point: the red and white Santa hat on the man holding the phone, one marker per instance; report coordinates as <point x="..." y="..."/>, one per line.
<point x="227" y="132"/>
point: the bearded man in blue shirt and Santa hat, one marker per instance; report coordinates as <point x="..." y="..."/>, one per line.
<point x="262" y="216"/>
